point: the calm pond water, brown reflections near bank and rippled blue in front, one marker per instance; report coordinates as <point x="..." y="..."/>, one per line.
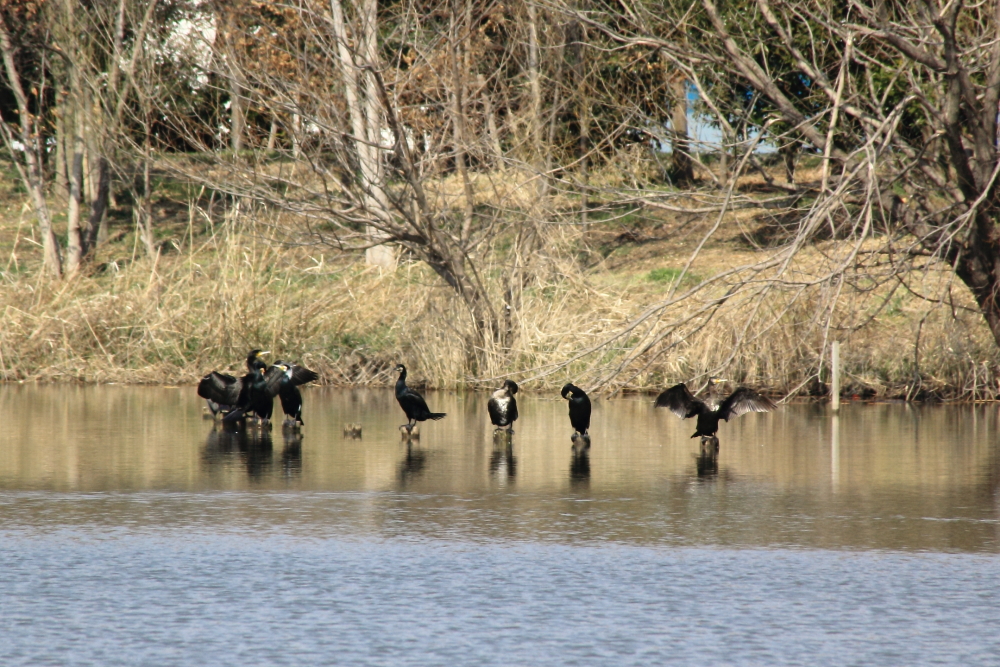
<point x="132" y="531"/>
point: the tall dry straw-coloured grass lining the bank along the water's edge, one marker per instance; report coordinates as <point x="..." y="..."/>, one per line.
<point x="220" y="288"/>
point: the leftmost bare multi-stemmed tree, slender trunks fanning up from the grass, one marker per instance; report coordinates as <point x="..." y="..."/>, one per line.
<point x="80" y="74"/>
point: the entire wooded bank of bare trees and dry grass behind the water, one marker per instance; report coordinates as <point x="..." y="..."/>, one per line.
<point x="488" y="189"/>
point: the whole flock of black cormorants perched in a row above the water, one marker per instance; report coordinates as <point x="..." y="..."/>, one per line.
<point x="251" y="397"/>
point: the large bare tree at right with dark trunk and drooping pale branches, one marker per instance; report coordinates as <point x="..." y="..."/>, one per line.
<point x="900" y="102"/>
